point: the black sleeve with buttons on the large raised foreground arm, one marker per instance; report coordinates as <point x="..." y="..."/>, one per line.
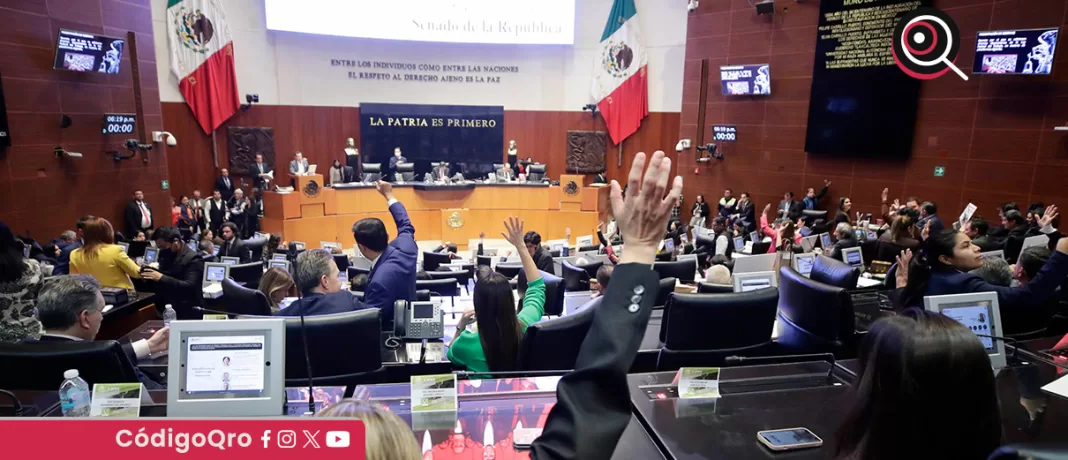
<point x="593" y="404"/>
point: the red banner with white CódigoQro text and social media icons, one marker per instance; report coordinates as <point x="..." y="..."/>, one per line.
<point x="137" y="439"/>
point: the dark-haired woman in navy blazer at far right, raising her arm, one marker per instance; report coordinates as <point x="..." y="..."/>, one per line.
<point x="945" y="265"/>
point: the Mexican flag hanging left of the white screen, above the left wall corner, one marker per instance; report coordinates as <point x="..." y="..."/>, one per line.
<point x="202" y="57"/>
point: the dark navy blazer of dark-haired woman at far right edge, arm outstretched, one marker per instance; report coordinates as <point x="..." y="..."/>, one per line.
<point x="1032" y="295"/>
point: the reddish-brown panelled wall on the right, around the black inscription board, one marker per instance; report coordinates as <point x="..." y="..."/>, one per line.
<point x="994" y="135"/>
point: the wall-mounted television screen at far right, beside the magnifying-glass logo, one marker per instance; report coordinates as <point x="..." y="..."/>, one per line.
<point x="1016" y="52"/>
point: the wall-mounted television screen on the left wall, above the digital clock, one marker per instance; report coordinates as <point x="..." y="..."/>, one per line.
<point x="81" y="52"/>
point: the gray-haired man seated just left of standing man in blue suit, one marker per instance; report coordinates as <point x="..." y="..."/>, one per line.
<point x="317" y="279"/>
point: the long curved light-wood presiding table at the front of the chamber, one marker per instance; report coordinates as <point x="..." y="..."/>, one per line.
<point x="450" y="213"/>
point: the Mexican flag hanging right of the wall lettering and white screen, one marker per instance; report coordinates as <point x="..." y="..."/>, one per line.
<point x="621" y="82"/>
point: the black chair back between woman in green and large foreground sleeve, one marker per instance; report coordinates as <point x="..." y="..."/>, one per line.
<point x="554" y="345"/>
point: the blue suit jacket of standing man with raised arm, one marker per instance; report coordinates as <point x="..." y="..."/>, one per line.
<point x="394" y="276"/>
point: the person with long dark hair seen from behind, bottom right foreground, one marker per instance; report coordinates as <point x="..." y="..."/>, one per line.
<point x="908" y="366"/>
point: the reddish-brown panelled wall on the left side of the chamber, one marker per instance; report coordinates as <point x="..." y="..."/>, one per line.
<point x="43" y="196"/>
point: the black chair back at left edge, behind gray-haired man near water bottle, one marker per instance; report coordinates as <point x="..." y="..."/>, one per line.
<point x="40" y="366"/>
